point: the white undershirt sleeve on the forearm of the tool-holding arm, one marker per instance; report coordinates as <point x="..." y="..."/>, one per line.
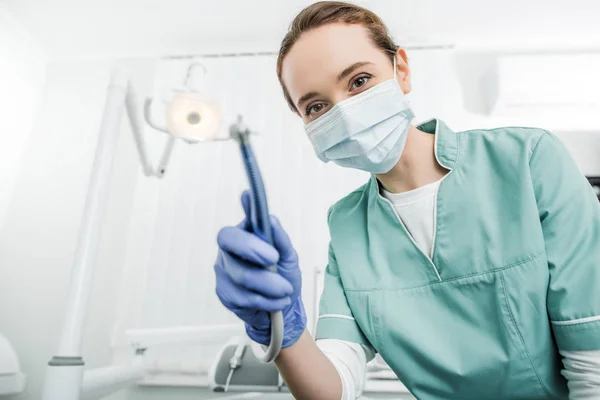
<point x="350" y="361"/>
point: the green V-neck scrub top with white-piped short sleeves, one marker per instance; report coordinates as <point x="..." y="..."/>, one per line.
<point x="514" y="274"/>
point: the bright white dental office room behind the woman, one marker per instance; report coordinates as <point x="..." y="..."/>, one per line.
<point x="153" y="325"/>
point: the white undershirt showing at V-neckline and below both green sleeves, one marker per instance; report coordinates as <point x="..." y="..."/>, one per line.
<point x="416" y="209"/>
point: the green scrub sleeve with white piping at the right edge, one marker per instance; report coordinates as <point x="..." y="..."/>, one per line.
<point x="570" y="217"/>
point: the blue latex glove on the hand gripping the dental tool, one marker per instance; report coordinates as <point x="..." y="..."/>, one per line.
<point x="246" y="287"/>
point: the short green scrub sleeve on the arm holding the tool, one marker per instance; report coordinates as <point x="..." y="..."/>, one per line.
<point x="336" y="320"/>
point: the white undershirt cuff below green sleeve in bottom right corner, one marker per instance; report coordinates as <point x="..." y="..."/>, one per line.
<point x="582" y="370"/>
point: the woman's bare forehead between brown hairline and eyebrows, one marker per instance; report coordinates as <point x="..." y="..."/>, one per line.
<point x="320" y="54"/>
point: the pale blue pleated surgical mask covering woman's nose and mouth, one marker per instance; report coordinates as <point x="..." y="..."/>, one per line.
<point x="367" y="131"/>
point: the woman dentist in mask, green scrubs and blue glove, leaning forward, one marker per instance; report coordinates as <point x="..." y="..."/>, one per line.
<point x="470" y="260"/>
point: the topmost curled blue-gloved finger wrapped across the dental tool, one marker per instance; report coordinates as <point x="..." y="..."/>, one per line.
<point x="247" y="246"/>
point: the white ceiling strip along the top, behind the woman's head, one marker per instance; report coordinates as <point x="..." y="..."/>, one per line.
<point x="127" y="28"/>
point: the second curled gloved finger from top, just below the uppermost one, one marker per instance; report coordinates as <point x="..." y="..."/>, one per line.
<point x="256" y="279"/>
